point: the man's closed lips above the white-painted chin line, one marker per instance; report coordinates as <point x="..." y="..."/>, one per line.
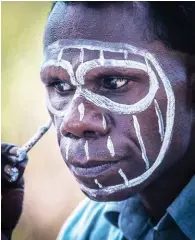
<point x="92" y="170"/>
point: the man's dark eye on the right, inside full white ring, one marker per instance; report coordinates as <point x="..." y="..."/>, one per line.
<point x="114" y="82"/>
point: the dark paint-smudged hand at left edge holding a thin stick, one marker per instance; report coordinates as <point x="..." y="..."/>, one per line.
<point x="12" y="192"/>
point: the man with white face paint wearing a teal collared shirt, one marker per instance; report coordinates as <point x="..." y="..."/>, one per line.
<point x="120" y="80"/>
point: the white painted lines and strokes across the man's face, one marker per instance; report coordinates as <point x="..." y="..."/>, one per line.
<point x="103" y="102"/>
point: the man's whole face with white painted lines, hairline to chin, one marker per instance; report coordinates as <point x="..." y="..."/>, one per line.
<point x="118" y="101"/>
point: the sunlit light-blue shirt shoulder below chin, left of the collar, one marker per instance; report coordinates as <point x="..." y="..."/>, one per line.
<point x="87" y="222"/>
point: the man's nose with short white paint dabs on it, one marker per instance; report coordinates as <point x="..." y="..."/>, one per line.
<point x="84" y="119"/>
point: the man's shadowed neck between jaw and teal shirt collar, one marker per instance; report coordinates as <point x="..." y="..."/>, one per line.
<point x="160" y="194"/>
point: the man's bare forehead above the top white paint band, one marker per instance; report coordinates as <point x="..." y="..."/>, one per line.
<point x="114" y="22"/>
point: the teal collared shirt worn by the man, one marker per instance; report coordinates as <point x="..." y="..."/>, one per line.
<point x="128" y="220"/>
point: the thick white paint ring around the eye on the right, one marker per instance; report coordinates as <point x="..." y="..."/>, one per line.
<point x="106" y="103"/>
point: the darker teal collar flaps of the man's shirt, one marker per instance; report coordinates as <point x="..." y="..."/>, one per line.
<point x="131" y="217"/>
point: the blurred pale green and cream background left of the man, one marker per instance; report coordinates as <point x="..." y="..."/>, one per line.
<point x="47" y="195"/>
